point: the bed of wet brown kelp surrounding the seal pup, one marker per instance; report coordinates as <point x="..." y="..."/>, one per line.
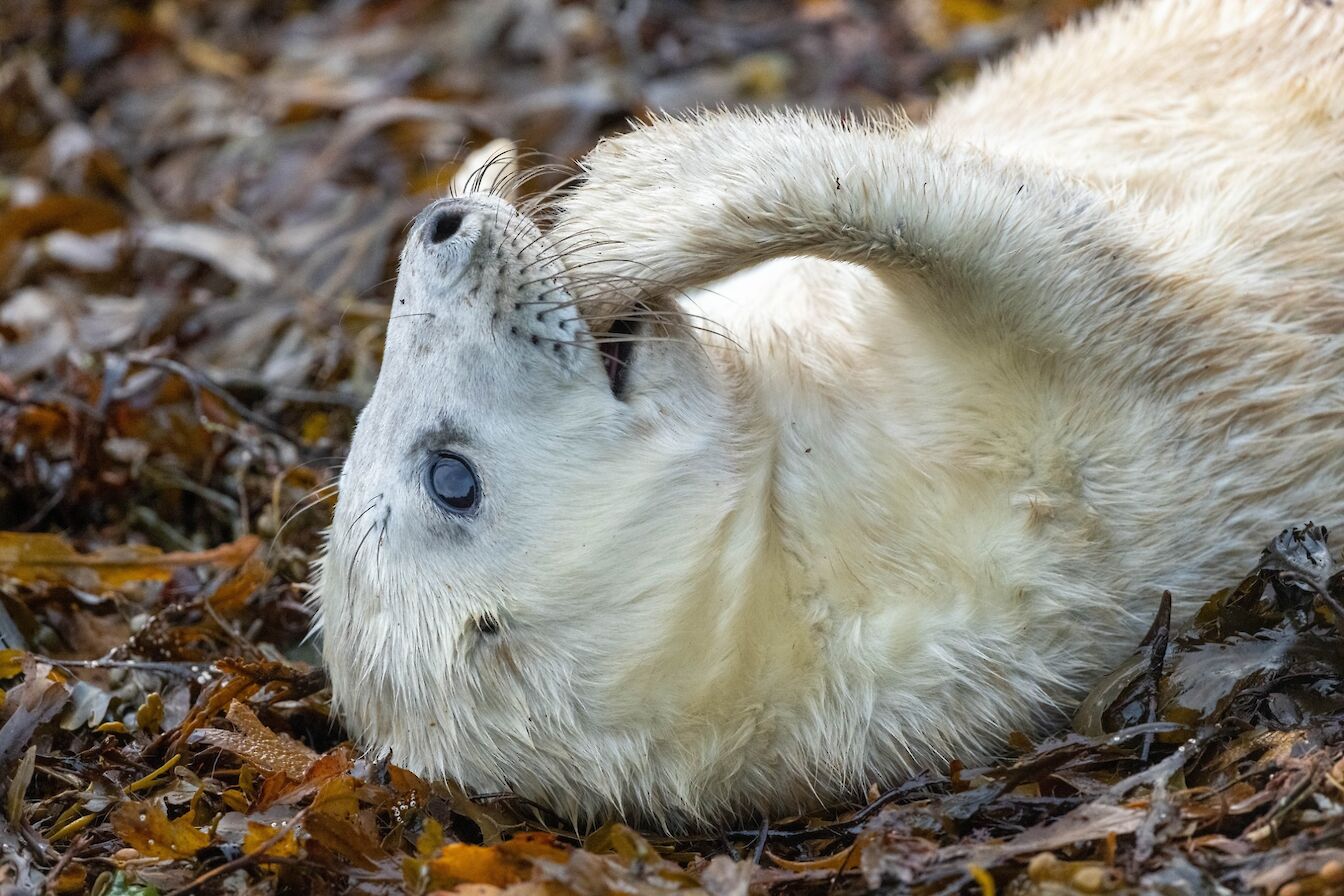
<point x="201" y="206"/>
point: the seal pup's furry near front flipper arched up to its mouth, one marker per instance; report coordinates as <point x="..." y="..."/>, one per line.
<point x="978" y="247"/>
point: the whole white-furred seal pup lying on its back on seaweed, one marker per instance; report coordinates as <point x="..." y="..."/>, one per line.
<point x="994" y="384"/>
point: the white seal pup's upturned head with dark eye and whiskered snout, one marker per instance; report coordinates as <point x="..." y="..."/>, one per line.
<point x="537" y="500"/>
